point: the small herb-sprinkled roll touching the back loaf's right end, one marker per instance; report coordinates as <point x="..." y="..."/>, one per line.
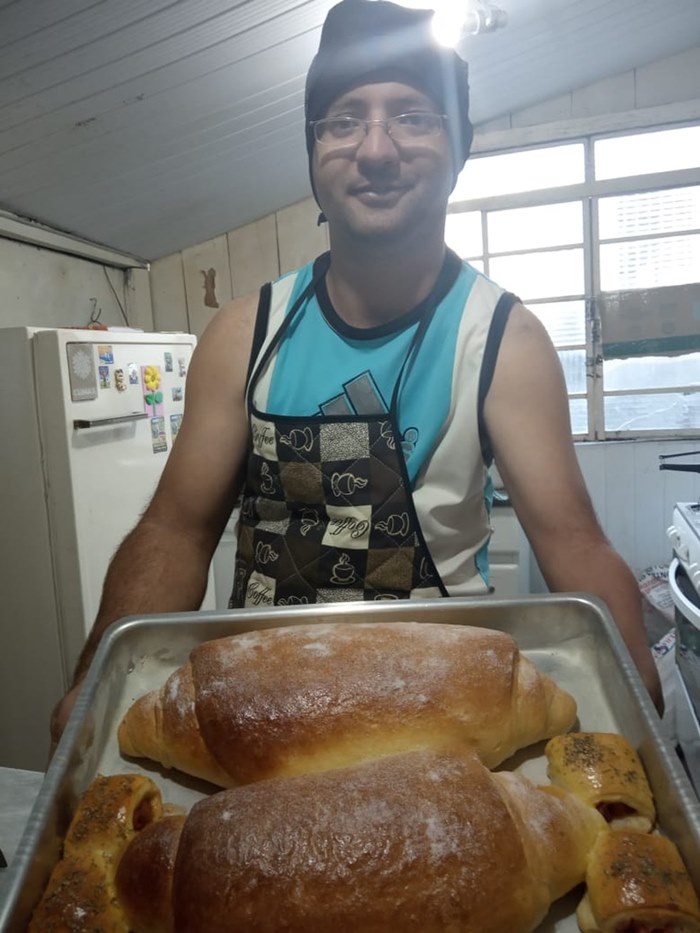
<point x="604" y="770"/>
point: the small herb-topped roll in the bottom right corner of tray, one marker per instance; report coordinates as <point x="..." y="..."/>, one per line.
<point x="637" y="883"/>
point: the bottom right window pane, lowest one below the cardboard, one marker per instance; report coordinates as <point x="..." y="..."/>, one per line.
<point x="671" y="411"/>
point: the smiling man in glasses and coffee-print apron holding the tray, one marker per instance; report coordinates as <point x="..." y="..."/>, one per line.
<point x="363" y="397"/>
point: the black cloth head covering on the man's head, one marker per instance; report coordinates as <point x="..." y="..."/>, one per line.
<point x="367" y="40"/>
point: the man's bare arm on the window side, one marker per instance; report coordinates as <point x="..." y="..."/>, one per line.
<point x="527" y="416"/>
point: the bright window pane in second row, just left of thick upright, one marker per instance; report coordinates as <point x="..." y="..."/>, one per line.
<point x="534" y="227"/>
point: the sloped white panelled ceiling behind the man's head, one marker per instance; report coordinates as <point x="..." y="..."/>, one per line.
<point x="152" y="125"/>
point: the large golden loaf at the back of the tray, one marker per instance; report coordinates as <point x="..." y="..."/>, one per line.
<point x="308" y="698"/>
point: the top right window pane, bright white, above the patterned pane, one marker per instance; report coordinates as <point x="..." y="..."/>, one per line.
<point x="660" y="151"/>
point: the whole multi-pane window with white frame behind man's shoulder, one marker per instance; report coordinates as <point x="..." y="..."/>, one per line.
<point x="601" y="239"/>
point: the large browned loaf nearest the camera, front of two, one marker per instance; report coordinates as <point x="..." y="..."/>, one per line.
<point x="420" y="842"/>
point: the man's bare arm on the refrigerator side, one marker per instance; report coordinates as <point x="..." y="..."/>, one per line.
<point x="163" y="563"/>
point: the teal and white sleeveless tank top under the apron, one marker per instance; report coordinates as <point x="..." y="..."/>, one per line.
<point x="325" y="366"/>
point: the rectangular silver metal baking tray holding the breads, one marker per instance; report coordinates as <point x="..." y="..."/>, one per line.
<point x="570" y="637"/>
